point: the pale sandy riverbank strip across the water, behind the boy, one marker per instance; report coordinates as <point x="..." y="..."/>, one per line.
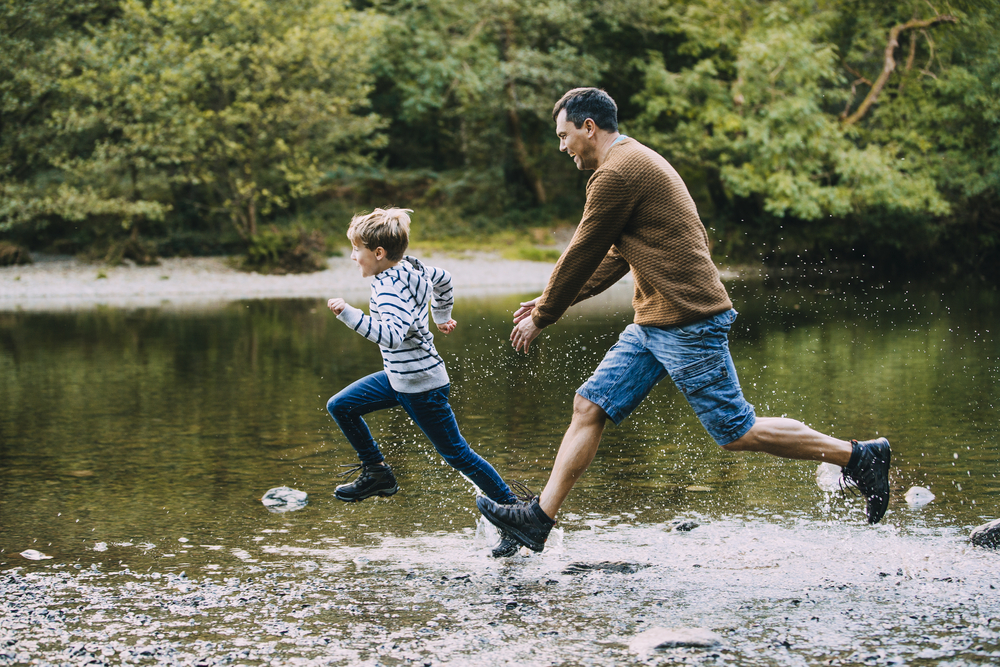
<point x="66" y="283"/>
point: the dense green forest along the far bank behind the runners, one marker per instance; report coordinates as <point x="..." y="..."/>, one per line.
<point x="848" y="132"/>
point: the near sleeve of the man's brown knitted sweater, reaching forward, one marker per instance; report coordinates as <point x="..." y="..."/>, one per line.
<point x="609" y="207"/>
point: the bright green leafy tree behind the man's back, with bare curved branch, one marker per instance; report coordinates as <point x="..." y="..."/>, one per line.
<point x="769" y="112"/>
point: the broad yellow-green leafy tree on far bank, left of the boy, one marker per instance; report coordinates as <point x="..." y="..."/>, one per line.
<point x="242" y="107"/>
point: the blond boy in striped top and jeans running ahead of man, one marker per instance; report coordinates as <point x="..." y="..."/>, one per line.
<point x="414" y="374"/>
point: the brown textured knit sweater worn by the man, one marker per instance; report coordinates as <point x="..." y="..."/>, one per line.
<point x="639" y="216"/>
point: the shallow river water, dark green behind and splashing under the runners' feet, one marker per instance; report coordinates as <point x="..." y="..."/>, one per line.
<point x="135" y="447"/>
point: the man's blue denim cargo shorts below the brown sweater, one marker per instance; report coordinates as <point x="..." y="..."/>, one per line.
<point x="695" y="356"/>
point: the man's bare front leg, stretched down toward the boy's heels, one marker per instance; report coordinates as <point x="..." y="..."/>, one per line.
<point x="576" y="452"/>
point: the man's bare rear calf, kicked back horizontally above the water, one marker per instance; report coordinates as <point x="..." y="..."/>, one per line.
<point x="790" y="439"/>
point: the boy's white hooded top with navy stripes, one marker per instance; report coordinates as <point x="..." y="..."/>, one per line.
<point x="399" y="324"/>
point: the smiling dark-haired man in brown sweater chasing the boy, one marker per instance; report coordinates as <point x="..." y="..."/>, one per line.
<point x="639" y="216"/>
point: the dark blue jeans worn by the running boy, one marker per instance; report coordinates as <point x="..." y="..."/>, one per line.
<point x="430" y="411"/>
